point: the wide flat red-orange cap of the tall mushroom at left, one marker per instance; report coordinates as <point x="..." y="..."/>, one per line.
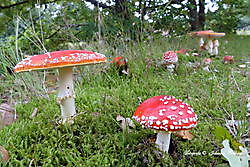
<point x="58" y="59"/>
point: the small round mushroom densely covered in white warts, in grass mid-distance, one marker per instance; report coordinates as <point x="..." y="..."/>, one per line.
<point x="170" y="59"/>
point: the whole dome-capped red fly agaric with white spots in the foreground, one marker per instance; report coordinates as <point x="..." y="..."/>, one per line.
<point x="165" y="114"/>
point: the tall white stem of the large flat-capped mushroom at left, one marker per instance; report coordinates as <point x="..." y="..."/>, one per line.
<point x="66" y="94"/>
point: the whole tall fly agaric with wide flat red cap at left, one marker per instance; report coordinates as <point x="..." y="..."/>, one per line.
<point x="64" y="61"/>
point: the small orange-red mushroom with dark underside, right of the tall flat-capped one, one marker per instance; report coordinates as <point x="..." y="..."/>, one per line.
<point x="121" y="63"/>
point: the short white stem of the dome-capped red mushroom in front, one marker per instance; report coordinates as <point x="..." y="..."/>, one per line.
<point x="163" y="141"/>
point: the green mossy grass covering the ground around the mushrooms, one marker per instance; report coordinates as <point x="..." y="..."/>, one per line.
<point x="99" y="141"/>
